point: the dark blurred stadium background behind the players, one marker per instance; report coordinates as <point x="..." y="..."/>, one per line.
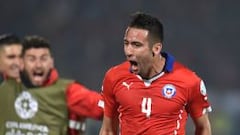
<point x="86" y="36"/>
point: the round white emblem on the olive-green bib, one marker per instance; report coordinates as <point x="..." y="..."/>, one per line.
<point x="26" y="106"/>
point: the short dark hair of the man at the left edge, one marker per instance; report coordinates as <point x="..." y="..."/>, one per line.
<point x="9" y="39"/>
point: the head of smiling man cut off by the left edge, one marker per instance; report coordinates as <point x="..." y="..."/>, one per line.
<point x="10" y="55"/>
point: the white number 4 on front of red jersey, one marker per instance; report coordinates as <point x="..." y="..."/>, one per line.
<point x="147" y="106"/>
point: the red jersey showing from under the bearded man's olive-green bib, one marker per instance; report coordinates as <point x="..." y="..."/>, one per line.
<point x="82" y="103"/>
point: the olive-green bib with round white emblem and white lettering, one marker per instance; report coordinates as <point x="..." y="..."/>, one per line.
<point x="35" y="111"/>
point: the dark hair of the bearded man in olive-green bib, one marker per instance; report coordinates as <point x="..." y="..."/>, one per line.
<point x="34" y="41"/>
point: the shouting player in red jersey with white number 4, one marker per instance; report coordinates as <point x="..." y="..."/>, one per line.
<point x="151" y="93"/>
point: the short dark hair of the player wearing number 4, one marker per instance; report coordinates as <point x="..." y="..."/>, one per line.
<point x="150" y="23"/>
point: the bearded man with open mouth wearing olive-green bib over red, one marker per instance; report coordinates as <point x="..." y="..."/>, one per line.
<point x="45" y="100"/>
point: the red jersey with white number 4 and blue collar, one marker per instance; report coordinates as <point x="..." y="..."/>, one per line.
<point x="156" y="106"/>
